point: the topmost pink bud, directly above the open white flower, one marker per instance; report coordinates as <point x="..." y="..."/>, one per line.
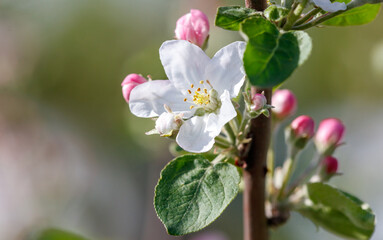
<point x="193" y="27"/>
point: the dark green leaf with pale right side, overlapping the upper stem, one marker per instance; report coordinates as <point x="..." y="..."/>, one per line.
<point x="271" y="56"/>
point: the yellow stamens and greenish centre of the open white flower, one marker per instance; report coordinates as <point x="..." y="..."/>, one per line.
<point x="203" y="96"/>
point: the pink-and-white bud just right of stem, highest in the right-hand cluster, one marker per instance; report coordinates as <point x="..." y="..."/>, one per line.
<point x="284" y="102"/>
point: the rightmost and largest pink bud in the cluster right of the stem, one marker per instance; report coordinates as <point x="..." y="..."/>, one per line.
<point x="329" y="135"/>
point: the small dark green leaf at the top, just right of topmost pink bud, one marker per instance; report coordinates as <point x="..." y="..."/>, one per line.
<point x="230" y="18"/>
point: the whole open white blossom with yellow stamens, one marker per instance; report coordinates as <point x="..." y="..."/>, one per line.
<point x="198" y="87"/>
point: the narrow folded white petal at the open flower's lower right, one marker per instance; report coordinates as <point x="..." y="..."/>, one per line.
<point x="226" y="113"/>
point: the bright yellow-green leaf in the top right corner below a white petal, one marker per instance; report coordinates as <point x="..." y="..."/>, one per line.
<point x="356" y="16"/>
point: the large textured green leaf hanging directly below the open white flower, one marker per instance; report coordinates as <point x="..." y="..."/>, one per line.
<point x="192" y="192"/>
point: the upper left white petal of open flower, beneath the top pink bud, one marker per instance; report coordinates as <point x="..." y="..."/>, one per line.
<point x="184" y="63"/>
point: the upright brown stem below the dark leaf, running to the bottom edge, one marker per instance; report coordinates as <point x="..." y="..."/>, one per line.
<point x="255" y="223"/>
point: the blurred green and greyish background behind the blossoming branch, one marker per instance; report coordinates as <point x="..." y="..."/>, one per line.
<point x="73" y="157"/>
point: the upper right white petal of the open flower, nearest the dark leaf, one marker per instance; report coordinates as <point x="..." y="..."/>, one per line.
<point x="225" y="70"/>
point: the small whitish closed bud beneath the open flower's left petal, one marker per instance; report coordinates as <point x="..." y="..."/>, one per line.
<point x="167" y="123"/>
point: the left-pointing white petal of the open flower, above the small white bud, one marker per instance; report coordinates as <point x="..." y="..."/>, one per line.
<point x="148" y="99"/>
